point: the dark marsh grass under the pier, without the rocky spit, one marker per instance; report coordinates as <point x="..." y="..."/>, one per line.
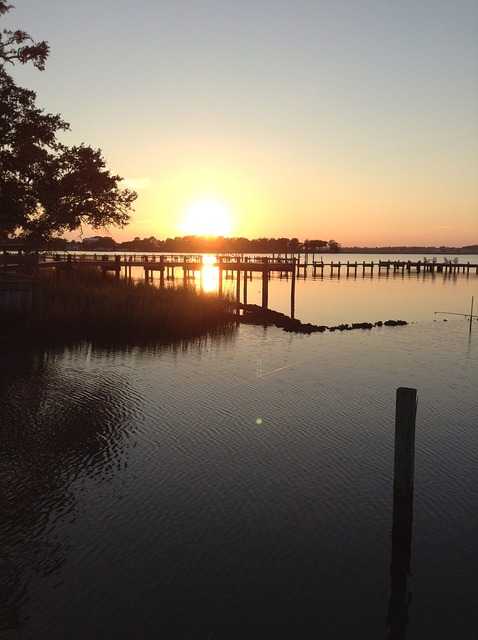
<point x="84" y="305"/>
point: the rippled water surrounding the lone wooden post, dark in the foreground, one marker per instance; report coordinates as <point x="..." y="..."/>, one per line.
<point x="240" y="487"/>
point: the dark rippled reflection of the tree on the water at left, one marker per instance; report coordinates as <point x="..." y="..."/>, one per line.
<point x="58" y="429"/>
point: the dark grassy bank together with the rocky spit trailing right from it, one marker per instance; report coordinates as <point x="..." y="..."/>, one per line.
<point x="85" y="306"/>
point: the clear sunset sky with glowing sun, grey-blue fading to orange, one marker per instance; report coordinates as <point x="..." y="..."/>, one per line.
<point x="352" y="120"/>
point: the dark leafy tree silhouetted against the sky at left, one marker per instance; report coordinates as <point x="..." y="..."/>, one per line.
<point x="46" y="187"/>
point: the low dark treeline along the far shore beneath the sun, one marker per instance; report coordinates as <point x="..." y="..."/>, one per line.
<point x="213" y="244"/>
